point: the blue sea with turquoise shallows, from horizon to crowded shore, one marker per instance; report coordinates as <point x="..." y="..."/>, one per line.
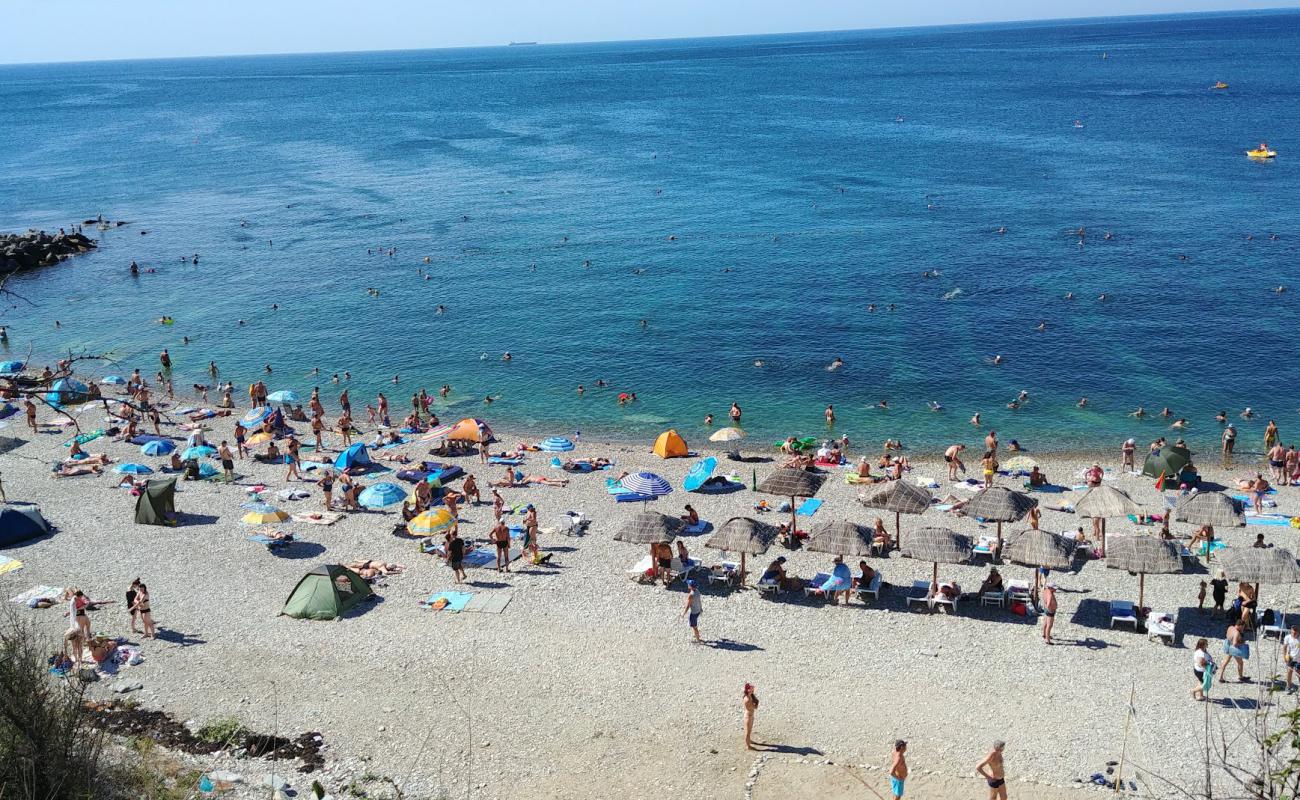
<point x="795" y="197"/>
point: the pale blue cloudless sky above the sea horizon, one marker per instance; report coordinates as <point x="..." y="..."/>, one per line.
<point x="85" y="31"/>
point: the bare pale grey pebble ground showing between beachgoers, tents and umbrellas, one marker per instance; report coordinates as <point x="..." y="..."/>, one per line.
<point x="588" y="685"/>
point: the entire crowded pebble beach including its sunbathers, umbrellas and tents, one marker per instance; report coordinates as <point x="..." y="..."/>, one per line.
<point x="523" y="611"/>
